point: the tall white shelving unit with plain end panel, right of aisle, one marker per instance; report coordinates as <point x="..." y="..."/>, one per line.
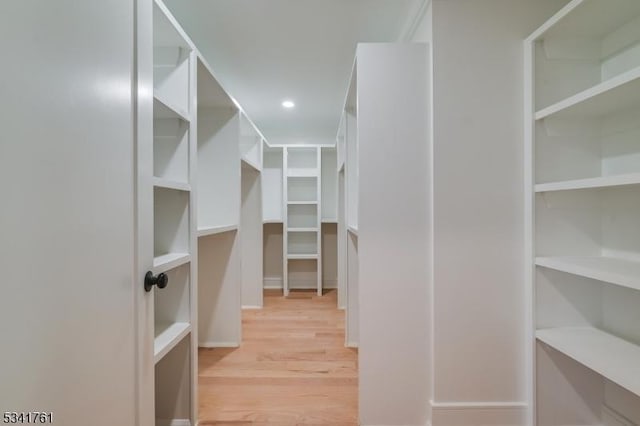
<point x="386" y="218"/>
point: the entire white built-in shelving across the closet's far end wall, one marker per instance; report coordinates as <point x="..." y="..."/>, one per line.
<point x="300" y="216"/>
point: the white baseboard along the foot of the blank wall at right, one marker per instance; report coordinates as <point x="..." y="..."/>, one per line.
<point x="479" y="413"/>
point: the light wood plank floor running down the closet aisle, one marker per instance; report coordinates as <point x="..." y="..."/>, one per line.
<point x="292" y="367"/>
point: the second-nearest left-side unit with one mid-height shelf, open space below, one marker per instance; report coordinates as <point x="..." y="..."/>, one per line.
<point x="218" y="200"/>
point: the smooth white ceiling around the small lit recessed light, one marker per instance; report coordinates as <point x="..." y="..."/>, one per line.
<point x="265" y="51"/>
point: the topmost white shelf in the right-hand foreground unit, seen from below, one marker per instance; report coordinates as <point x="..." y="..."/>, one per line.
<point x="620" y="92"/>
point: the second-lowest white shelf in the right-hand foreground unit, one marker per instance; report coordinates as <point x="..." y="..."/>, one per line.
<point x="621" y="272"/>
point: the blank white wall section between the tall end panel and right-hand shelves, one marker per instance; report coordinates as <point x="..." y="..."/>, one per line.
<point x="479" y="307"/>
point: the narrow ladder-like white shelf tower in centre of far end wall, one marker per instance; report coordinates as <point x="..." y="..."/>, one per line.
<point x="302" y="220"/>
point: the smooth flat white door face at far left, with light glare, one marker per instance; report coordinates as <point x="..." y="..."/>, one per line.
<point x="67" y="211"/>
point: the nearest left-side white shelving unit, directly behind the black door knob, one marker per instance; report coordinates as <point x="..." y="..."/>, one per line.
<point x="172" y="280"/>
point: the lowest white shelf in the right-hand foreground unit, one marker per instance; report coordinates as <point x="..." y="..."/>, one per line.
<point x="615" y="359"/>
